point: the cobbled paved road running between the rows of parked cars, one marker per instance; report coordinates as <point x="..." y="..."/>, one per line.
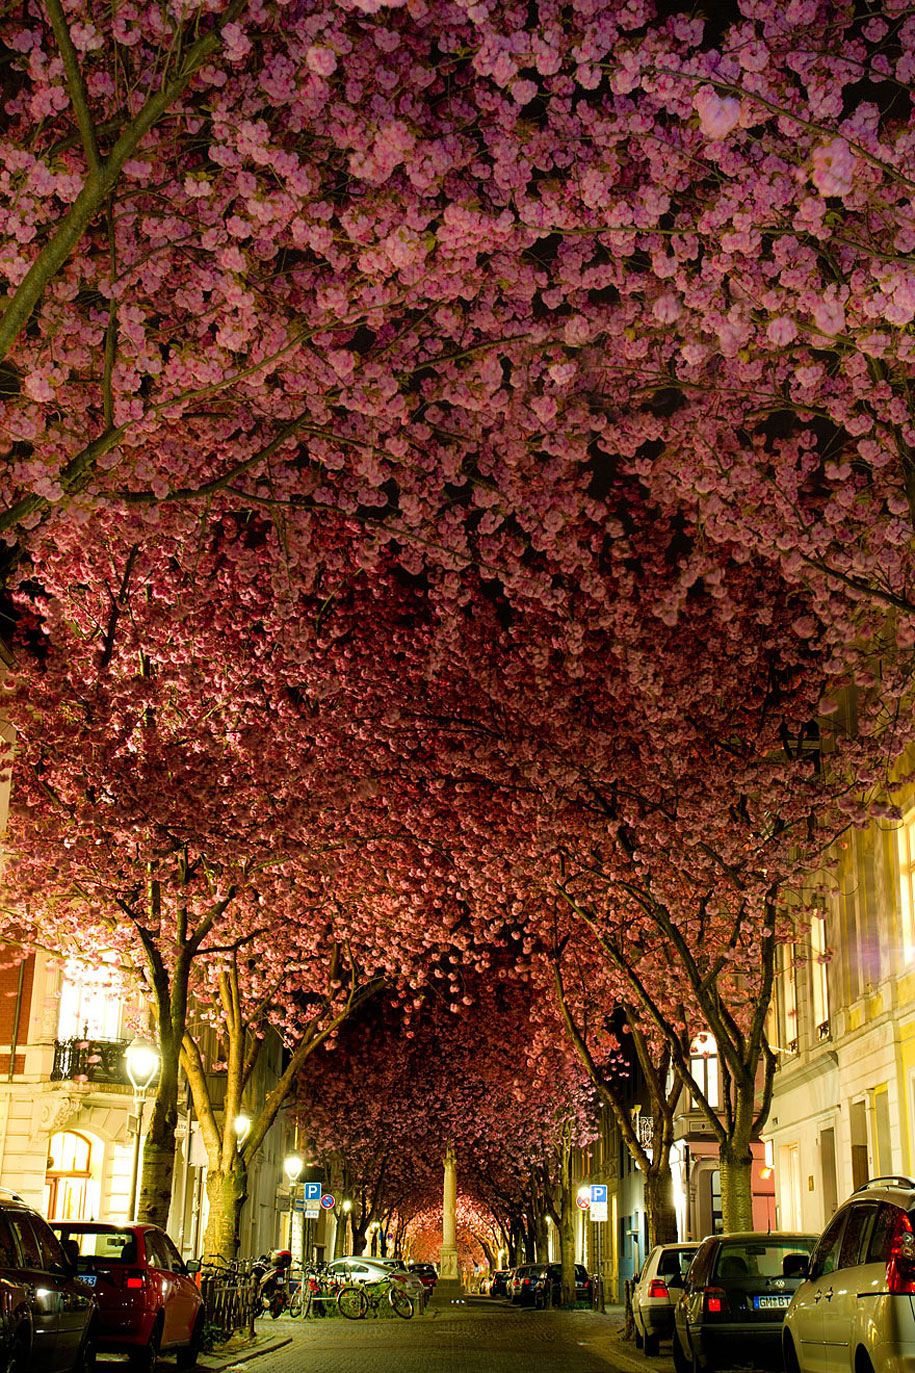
<point x="453" y="1339"/>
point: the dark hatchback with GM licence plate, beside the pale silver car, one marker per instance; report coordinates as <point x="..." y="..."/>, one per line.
<point x="734" y="1300"/>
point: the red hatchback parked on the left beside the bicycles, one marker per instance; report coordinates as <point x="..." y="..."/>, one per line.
<point x="148" y="1298"/>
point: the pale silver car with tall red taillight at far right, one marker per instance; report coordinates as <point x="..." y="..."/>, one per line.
<point x="855" y="1309"/>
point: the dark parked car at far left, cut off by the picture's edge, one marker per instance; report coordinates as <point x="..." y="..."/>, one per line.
<point x="49" y="1317"/>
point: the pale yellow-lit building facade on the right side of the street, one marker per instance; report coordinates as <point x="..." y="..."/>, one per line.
<point x="844" y="1106"/>
